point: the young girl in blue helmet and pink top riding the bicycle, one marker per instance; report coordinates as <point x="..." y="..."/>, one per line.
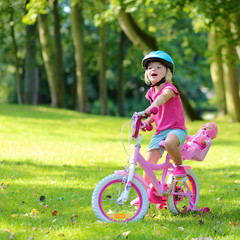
<point x="169" y="121"/>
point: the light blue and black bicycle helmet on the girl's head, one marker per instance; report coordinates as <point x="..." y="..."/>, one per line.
<point x="158" y="56"/>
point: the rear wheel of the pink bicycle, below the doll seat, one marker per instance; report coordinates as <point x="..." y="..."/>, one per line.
<point x="178" y="203"/>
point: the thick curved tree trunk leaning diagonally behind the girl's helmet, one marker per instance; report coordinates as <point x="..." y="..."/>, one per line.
<point x="147" y="43"/>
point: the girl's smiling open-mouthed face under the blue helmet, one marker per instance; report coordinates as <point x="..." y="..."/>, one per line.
<point x="155" y="72"/>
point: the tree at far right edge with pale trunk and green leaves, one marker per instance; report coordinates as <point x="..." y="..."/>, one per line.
<point x="228" y="39"/>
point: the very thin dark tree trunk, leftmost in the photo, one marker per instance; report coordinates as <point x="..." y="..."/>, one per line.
<point x="17" y="64"/>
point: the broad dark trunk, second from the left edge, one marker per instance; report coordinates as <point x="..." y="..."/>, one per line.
<point x="30" y="75"/>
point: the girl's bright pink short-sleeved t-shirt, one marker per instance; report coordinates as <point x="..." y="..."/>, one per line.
<point x="170" y="114"/>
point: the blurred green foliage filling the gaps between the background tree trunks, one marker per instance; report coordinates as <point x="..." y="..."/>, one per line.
<point x="183" y="36"/>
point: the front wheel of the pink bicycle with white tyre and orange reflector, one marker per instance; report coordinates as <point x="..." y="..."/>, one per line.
<point x="106" y="193"/>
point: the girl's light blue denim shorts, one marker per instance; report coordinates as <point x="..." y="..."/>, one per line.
<point x="156" y="139"/>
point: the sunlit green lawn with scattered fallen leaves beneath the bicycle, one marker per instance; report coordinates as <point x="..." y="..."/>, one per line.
<point x="62" y="155"/>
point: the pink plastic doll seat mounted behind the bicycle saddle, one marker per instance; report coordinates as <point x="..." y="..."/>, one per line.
<point x="195" y="154"/>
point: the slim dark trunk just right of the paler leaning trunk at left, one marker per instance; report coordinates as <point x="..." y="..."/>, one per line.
<point x="58" y="50"/>
